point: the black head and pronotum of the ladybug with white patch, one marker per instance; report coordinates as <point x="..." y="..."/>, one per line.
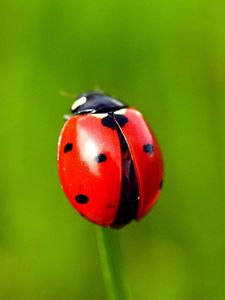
<point x="95" y="102"/>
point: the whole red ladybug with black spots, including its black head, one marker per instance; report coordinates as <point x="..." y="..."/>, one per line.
<point x="109" y="161"/>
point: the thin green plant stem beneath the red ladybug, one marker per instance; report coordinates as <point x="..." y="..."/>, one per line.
<point x="110" y="256"/>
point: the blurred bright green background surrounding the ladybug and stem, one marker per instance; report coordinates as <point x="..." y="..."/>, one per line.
<point x="168" y="59"/>
